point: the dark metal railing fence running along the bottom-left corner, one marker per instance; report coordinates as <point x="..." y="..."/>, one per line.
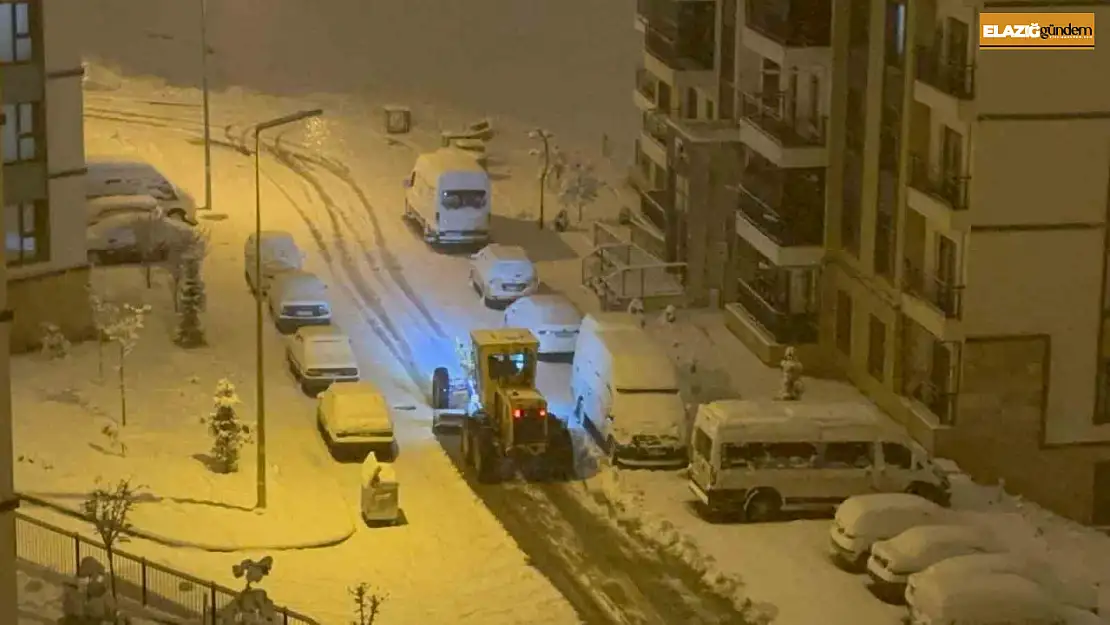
<point x="153" y="586"/>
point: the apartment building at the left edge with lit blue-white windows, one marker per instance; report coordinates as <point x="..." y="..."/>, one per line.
<point x="44" y="169"/>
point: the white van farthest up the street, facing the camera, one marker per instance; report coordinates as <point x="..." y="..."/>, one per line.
<point x="448" y="196"/>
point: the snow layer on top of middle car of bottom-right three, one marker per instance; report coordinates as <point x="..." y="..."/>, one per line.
<point x="924" y="546"/>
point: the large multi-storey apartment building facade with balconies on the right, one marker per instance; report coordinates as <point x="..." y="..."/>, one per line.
<point x="924" y="218"/>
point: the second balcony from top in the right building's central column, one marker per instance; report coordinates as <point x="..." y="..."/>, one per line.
<point x="784" y="137"/>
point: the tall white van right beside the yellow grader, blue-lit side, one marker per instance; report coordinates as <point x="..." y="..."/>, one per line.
<point x="627" y="396"/>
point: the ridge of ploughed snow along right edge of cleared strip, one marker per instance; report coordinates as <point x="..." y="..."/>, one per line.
<point x="615" y="496"/>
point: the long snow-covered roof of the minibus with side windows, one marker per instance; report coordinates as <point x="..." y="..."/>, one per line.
<point x="804" y="420"/>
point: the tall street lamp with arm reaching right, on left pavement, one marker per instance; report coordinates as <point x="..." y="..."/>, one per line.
<point x="260" y="370"/>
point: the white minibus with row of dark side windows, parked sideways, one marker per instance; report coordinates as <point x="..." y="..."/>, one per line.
<point x="758" y="458"/>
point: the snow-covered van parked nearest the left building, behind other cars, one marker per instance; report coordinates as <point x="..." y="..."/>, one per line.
<point x="108" y="177"/>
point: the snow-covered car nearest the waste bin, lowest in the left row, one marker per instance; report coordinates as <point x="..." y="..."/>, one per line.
<point x="355" y="420"/>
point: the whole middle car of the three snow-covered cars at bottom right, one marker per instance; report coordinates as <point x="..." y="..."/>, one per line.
<point x="917" y="549"/>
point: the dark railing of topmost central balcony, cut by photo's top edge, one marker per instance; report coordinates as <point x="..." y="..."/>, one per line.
<point x="794" y="24"/>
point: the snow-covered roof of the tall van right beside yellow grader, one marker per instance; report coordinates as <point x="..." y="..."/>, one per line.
<point x="639" y="364"/>
